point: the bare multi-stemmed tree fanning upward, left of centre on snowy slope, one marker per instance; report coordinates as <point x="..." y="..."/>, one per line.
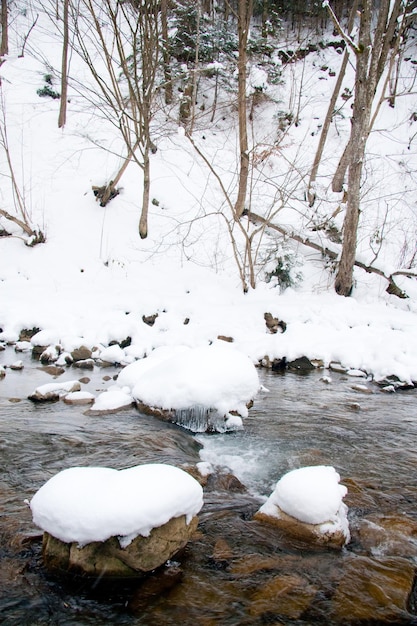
<point x="126" y="38"/>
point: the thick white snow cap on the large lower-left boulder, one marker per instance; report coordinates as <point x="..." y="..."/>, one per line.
<point x="85" y="504"/>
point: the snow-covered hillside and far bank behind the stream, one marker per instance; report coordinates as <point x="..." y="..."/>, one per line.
<point x="94" y="279"/>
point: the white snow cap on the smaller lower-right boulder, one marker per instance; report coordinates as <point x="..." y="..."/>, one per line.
<point x="312" y="495"/>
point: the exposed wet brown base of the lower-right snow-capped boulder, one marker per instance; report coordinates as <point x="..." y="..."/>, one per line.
<point x="328" y="535"/>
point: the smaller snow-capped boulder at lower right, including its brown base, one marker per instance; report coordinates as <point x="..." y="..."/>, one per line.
<point x="308" y="503"/>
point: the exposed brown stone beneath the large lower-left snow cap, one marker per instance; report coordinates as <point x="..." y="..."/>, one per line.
<point x="107" y="559"/>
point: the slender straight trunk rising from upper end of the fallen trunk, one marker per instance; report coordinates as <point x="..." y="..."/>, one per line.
<point x="244" y="16"/>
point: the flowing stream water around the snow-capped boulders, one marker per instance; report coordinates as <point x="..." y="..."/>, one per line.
<point x="235" y="570"/>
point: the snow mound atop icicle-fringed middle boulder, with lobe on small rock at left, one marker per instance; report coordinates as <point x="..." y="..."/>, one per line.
<point x="211" y="377"/>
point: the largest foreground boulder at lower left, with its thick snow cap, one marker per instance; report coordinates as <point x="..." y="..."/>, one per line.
<point x="101" y="521"/>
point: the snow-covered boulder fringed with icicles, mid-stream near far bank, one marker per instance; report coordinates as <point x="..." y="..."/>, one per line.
<point x="204" y="388"/>
